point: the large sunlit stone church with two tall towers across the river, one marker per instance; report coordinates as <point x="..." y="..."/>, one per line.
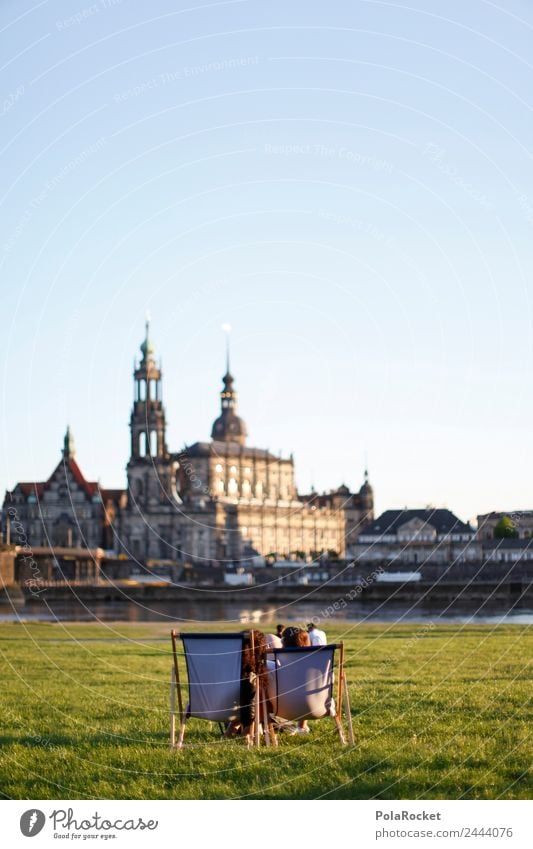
<point x="222" y="500"/>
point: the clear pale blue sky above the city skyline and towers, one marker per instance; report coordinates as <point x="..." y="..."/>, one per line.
<point x="349" y="184"/>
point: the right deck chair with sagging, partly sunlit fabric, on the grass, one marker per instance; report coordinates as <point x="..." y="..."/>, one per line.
<point x="304" y="682"/>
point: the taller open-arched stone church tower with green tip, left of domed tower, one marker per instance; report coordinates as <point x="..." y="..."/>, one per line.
<point x="147" y="422"/>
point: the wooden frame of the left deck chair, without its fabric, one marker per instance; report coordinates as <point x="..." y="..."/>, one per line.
<point x="176" y="693"/>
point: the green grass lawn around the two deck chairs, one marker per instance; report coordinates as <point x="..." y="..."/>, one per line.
<point x="441" y="712"/>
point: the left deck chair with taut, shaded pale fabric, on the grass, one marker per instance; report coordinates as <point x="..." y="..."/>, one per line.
<point x="214" y="680"/>
